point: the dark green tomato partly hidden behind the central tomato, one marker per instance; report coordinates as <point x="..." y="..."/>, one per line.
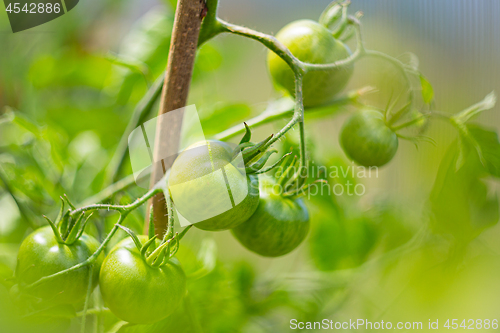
<point x="276" y="228"/>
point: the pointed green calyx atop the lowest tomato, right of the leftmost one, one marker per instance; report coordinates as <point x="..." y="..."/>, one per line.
<point x="153" y="254"/>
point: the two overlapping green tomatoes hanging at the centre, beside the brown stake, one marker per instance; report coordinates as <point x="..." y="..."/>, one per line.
<point x="268" y="224"/>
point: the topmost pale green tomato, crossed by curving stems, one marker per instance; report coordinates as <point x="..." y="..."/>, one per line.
<point x="311" y="42"/>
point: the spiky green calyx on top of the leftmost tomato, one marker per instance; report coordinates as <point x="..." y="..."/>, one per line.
<point x="67" y="230"/>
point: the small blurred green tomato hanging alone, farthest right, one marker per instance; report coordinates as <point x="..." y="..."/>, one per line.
<point x="367" y="140"/>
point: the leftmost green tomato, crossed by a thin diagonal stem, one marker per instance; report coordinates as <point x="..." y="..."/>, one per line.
<point x="41" y="255"/>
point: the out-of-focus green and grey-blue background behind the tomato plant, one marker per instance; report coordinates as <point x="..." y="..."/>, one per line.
<point x="397" y="253"/>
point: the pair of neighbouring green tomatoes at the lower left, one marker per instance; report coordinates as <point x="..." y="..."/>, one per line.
<point x="134" y="289"/>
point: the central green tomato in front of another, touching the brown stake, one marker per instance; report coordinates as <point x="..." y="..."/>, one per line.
<point x="210" y="189"/>
